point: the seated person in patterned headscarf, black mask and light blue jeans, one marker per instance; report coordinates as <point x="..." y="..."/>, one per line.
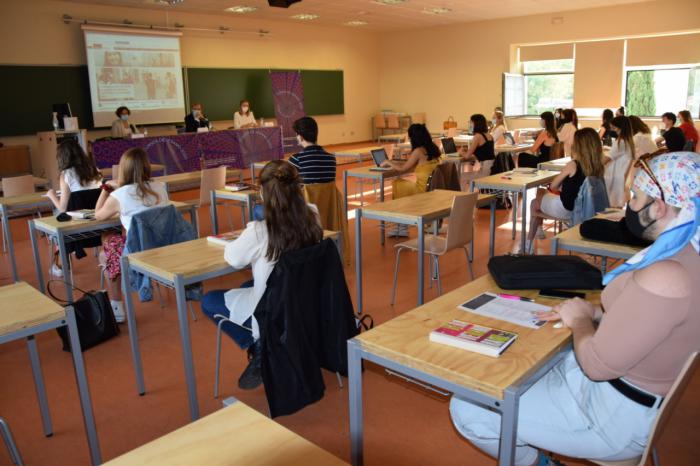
<point x="600" y="402"/>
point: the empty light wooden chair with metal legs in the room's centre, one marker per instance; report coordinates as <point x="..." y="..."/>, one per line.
<point x="460" y="232"/>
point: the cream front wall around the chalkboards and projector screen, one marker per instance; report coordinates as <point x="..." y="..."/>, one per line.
<point x="32" y="33"/>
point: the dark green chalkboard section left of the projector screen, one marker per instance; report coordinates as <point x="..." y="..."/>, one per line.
<point x="27" y="93"/>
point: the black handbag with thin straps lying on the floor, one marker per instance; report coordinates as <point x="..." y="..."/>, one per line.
<point x="94" y="316"/>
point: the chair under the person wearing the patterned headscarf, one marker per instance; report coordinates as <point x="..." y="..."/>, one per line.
<point x="667" y="406"/>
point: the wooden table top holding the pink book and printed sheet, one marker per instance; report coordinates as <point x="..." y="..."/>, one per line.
<point x="405" y="339"/>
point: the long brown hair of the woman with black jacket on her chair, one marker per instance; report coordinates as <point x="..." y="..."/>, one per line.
<point x="291" y="224"/>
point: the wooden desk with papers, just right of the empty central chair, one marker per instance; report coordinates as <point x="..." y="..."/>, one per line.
<point x="518" y="184"/>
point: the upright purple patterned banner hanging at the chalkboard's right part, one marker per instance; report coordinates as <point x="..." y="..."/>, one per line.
<point x="288" y="92"/>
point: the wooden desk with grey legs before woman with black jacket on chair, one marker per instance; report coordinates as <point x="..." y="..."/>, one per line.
<point x="177" y="266"/>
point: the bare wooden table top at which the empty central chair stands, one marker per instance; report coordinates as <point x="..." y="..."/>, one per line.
<point x="432" y="204"/>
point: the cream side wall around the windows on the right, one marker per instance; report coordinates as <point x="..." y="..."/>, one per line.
<point x="456" y="70"/>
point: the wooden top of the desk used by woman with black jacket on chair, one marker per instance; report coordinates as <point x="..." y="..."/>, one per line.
<point x="189" y="259"/>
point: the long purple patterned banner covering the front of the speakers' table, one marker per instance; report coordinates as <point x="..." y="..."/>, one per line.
<point x="183" y="152"/>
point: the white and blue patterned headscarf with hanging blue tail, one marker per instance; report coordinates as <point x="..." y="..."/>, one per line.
<point x="678" y="173"/>
